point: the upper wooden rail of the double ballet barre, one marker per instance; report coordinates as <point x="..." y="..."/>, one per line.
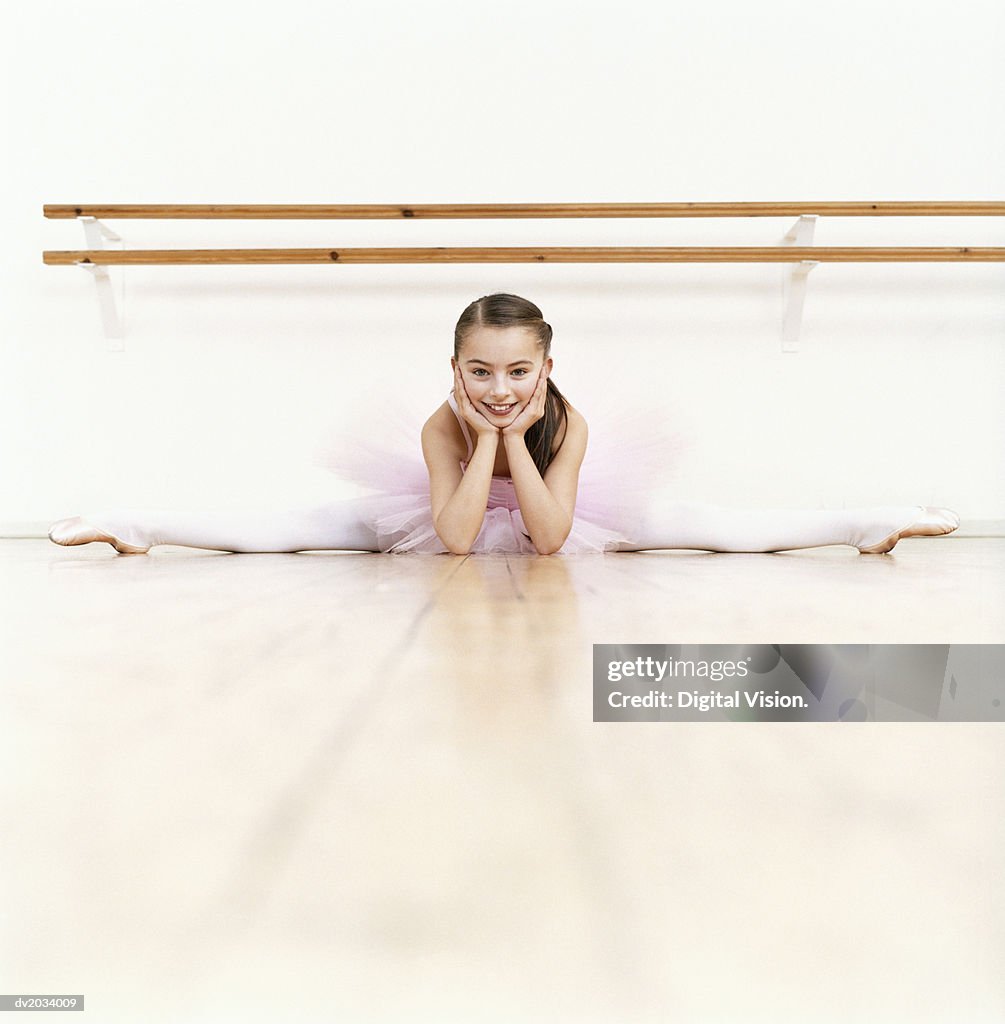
<point x="480" y="211"/>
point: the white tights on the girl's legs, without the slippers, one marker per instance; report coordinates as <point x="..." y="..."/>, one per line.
<point x="666" y="524"/>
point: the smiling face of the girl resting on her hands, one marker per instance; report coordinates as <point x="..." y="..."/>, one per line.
<point x="500" y="369"/>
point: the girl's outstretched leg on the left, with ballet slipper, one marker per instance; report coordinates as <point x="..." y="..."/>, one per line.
<point x="337" y="526"/>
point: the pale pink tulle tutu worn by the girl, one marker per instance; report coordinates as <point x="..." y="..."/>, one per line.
<point x="630" y="454"/>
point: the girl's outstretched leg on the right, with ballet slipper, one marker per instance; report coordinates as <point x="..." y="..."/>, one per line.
<point x="714" y="528"/>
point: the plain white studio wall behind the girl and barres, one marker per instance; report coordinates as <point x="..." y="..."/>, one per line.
<point x="232" y="378"/>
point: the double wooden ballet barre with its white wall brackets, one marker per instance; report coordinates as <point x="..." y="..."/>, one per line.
<point x="801" y="254"/>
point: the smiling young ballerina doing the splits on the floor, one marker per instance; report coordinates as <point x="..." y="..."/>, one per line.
<point x="504" y="456"/>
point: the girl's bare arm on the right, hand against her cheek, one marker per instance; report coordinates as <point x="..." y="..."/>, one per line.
<point x="548" y="504"/>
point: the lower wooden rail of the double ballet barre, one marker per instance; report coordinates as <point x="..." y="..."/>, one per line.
<point x="573" y="254"/>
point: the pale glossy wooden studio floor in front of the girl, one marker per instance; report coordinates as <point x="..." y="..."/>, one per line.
<point x="327" y="787"/>
